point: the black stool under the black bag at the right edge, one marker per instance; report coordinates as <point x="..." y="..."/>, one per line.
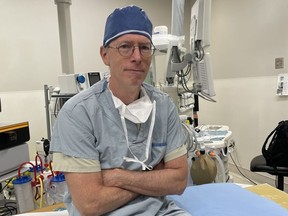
<point x="258" y="164"/>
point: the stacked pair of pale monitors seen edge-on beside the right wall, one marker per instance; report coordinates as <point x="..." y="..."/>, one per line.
<point x="199" y="41"/>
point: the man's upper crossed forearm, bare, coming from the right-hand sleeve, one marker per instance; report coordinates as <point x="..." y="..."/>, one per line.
<point x="164" y="179"/>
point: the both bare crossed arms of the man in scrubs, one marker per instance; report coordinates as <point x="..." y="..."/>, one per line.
<point x="116" y="187"/>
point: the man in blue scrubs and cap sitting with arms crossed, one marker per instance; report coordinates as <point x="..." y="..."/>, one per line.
<point x="120" y="142"/>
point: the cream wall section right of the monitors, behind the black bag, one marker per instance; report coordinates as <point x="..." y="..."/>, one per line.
<point x="246" y="38"/>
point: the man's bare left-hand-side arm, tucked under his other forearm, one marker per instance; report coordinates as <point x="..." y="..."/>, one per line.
<point x="86" y="199"/>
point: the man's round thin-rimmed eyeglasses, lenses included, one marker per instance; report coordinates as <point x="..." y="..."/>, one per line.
<point x="127" y="49"/>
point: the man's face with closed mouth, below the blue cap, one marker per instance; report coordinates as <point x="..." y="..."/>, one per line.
<point x="128" y="70"/>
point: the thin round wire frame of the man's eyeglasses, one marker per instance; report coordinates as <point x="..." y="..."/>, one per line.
<point x="133" y="47"/>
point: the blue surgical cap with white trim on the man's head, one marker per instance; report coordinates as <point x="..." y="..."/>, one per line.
<point x="128" y="20"/>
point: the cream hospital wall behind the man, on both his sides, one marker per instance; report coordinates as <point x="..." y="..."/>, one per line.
<point x="246" y="37"/>
